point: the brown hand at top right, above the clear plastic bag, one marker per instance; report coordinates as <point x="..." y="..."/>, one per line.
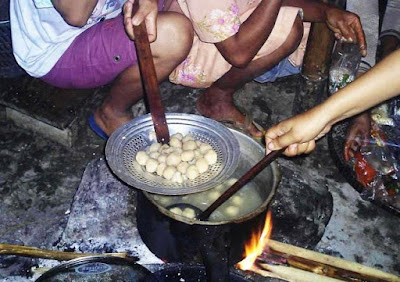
<point x="347" y="27"/>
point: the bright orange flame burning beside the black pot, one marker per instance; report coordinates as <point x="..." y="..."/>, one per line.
<point x="254" y="247"/>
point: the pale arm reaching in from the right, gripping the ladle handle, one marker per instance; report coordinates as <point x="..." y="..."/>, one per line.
<point x="300" y="132"/>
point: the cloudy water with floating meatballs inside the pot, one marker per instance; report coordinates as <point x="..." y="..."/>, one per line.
<point x="241" y="203"/>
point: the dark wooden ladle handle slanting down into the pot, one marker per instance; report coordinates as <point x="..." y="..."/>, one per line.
<point x="256" y="169"/>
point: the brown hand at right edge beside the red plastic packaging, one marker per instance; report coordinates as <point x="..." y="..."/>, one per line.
<point x="357" y="135"/>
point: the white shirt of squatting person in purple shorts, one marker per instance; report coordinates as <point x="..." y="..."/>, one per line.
<point x="40" y="35"/>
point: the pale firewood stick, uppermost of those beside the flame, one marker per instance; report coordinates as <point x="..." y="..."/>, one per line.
<point x="364" y="271"/>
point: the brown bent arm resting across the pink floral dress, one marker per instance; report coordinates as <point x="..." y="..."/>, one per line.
<point x="237" y="49"/>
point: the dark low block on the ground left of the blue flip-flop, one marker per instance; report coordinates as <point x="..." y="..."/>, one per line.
<point x="42" y="108"/>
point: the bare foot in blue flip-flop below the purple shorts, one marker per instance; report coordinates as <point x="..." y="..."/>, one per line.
<point x="109" y="120"/>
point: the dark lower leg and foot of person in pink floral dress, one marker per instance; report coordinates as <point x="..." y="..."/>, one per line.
<point x="217" y="101"/>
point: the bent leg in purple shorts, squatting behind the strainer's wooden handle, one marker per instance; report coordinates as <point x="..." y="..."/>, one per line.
<point x="103" y="54"/>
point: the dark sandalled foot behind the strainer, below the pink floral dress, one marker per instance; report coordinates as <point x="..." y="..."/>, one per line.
<point x="218" y="105"/>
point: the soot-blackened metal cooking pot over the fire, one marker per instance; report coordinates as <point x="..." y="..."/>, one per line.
<point x="219" y="243"/>
